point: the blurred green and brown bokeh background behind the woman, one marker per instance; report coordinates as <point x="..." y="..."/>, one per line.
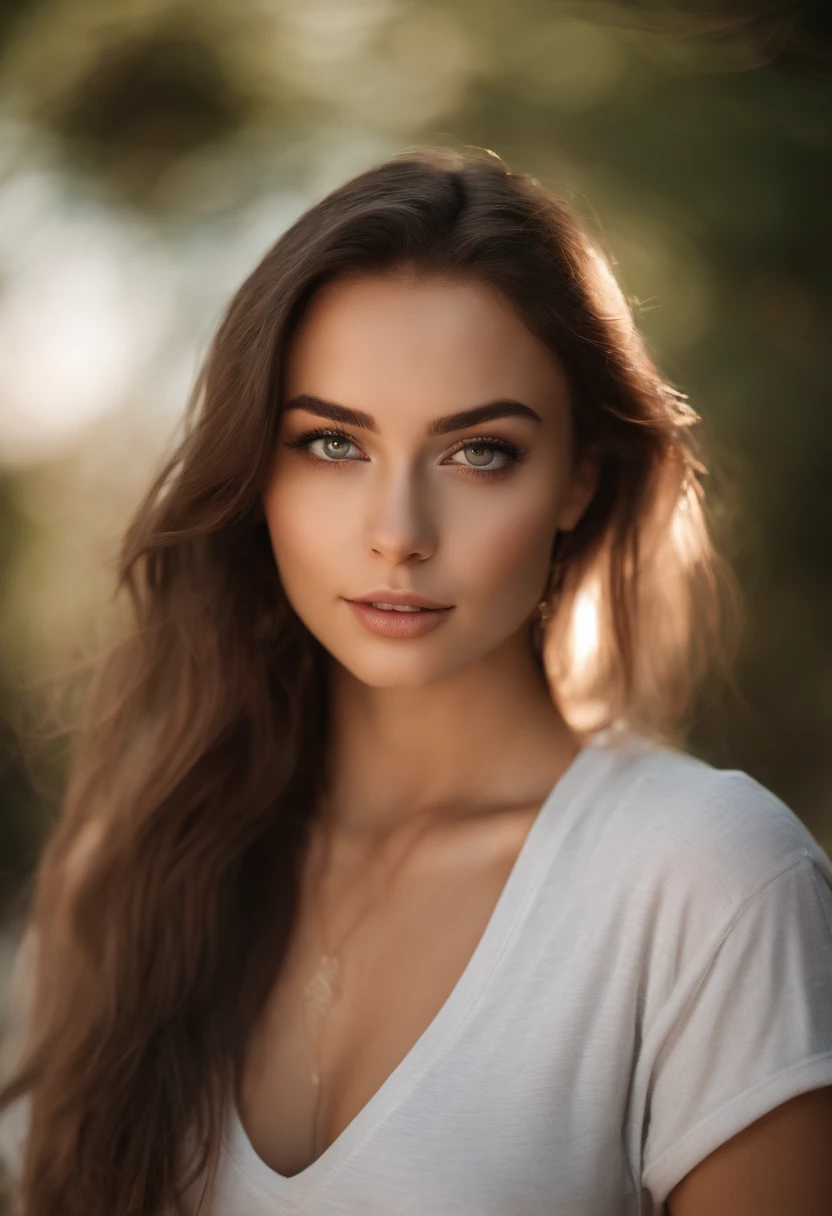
<point x="153" y="150"/>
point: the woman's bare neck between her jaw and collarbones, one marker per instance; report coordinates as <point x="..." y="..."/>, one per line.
<point x="490" y="736"/>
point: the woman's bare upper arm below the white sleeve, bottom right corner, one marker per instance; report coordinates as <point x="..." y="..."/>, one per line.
<point x="779" y="1166"/>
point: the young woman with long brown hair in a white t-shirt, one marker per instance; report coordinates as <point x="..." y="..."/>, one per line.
<point x="383" y="882"/>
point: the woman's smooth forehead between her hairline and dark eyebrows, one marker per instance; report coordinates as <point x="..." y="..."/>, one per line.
<point x="376" y="339"/>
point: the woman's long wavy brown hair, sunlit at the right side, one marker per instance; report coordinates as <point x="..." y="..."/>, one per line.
<point x="166" y="893"/>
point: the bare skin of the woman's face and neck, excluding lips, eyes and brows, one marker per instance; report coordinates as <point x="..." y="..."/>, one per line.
<point x="463" y="716"/>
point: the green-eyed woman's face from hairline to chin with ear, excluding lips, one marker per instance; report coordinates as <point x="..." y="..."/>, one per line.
<point x="464" y="516"/>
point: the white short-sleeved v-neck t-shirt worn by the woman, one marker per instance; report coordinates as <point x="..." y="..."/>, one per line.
<point x="655" y="977"/>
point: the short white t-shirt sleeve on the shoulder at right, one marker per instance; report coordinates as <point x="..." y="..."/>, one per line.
<point x="749" y="1032"/>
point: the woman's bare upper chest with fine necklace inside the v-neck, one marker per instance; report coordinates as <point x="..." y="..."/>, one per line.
<point x="406" y="948"/>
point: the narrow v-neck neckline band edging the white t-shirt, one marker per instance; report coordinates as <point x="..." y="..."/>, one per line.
<point x="518" y="892"/>
